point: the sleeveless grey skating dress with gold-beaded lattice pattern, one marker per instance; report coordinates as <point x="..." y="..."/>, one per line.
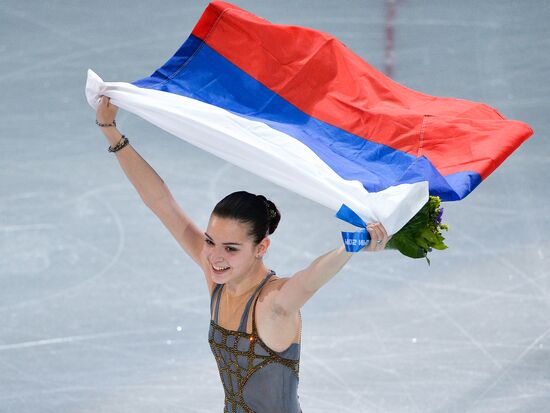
<point x="255" y="378"/>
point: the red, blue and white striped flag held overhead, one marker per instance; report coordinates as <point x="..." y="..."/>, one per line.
<point x="297" y="107"/>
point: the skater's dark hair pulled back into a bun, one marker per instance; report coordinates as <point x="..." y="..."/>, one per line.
<point x="256" y="210"/>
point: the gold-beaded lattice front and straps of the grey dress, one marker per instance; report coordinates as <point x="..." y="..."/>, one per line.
<point x="241" y="348"/>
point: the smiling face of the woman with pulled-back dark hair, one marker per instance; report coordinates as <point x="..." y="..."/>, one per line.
<point x="228" y="250"/>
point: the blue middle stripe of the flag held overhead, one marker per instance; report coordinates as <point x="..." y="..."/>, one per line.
<point x="199" y="72"/>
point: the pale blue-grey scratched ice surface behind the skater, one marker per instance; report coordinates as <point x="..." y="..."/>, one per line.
<point x="102" y="312"/>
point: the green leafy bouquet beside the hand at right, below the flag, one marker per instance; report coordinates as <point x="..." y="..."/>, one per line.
<point x="422" y="232"/>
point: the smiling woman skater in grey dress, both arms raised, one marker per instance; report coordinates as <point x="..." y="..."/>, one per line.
<point x="258" y="355"/>
